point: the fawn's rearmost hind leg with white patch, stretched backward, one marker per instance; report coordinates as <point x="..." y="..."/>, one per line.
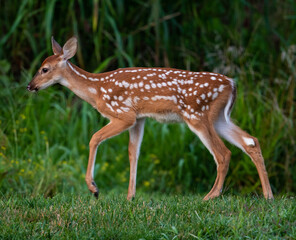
<point x="249" y="145"/>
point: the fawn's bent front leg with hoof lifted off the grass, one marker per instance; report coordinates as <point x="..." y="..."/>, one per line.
<point x="115" y="127"/>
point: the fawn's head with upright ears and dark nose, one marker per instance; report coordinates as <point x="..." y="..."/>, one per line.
<point x="50" y="71"/>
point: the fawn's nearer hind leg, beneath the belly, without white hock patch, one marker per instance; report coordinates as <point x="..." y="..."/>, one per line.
<point x="221" y="154"/>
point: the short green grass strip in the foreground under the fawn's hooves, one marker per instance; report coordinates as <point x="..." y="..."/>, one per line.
<point x="147" y="217"/>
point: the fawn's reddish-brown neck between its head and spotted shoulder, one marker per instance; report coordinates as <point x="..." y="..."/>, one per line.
<point x="81" y="83"/>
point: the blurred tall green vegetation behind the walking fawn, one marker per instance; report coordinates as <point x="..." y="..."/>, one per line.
<point x="44" y="137"/>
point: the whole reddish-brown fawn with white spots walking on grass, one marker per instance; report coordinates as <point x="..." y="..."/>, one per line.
<point x="127" y="96"/>
